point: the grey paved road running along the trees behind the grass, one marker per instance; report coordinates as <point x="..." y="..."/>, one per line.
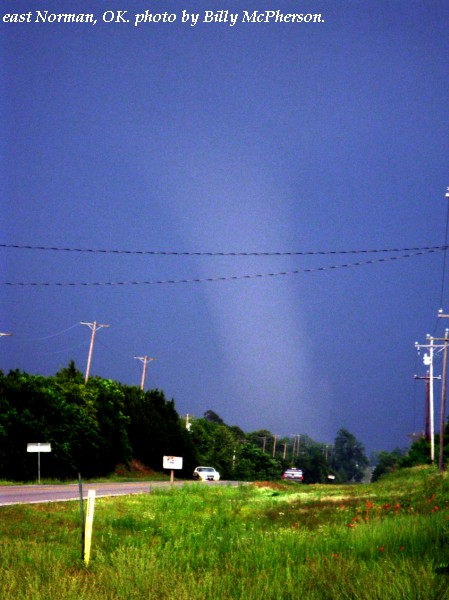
<point x="34" y="494"/>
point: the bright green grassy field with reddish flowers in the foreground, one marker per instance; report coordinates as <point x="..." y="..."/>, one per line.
<point x="388" y="540"/>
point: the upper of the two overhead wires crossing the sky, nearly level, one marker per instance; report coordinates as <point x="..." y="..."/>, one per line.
<point x="177" y="253"/>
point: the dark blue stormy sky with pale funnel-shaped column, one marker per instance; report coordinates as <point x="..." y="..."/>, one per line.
<point x="269" y="137"/>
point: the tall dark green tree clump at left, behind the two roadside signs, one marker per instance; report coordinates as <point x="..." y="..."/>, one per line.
<point x="91" y="428"/>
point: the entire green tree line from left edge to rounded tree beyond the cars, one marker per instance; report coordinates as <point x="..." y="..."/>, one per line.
<point x="93" y="427"/>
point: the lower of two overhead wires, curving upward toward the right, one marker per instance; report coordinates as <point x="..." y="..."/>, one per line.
<point x="222" y="278"/>
